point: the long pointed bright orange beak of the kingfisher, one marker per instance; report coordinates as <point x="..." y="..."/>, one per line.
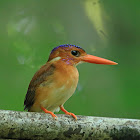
<point x="97" y="60"/>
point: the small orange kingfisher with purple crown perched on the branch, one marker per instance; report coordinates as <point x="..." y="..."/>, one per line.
<point x="55" y="82"/>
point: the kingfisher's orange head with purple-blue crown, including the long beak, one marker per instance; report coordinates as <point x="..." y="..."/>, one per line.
<point x="74" y="55"/>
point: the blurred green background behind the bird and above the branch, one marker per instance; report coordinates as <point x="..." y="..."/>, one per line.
<point x="30" y="29"/>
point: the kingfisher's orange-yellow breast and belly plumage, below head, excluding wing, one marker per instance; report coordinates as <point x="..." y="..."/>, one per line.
<point x="57" y="87"/>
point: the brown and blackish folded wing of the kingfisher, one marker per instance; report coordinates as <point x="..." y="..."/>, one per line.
<point x="39" y="77"/>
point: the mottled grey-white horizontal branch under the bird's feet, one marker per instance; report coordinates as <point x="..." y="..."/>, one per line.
<point x="30" y="125"/>
